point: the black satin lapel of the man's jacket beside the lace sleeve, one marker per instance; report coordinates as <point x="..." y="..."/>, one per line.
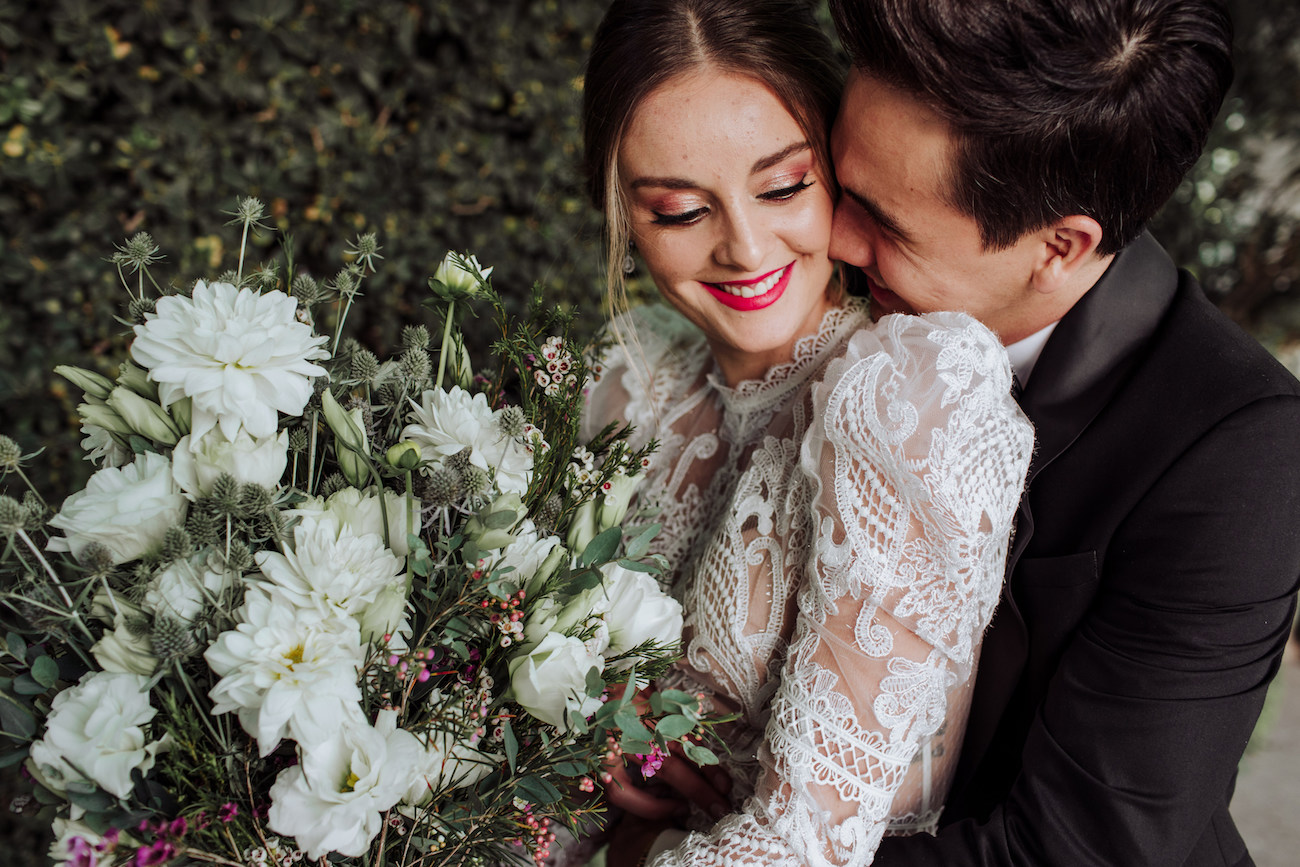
<point x="1084" y="365"/>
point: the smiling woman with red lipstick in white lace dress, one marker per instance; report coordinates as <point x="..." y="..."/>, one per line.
<point x="837" y="495"/>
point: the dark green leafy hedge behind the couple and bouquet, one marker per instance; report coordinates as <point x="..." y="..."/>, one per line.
<point x="443" y="124"/>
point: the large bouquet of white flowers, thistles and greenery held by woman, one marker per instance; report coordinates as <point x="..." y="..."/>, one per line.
<point x="320" y="608"/>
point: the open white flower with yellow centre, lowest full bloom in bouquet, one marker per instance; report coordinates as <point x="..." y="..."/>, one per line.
<point x="336" y="797"/>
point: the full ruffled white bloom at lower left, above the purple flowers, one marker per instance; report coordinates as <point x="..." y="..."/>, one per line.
<point x="96" y="731"/>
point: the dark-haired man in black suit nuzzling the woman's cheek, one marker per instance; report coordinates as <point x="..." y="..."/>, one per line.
<point x="1003" y="158"/>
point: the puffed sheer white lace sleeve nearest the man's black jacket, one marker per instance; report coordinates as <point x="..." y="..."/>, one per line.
<point x="917" y="457"/>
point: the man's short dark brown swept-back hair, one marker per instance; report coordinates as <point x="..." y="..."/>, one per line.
<point x="1058" y="107"/>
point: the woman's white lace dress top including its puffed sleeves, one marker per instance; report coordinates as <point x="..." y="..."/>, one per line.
<point x="837" y="534"/>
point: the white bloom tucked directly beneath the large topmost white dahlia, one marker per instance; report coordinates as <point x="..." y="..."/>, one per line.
<point x="198" y="462"/>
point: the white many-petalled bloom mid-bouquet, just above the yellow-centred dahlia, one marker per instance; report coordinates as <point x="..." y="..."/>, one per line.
<point x="332" y="570"/>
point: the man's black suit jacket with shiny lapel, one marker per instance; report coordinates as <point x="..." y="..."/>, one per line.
<point x="1150" y="591"/>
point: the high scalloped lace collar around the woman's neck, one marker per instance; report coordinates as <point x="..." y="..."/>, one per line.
<point x="781" y="380"/>
